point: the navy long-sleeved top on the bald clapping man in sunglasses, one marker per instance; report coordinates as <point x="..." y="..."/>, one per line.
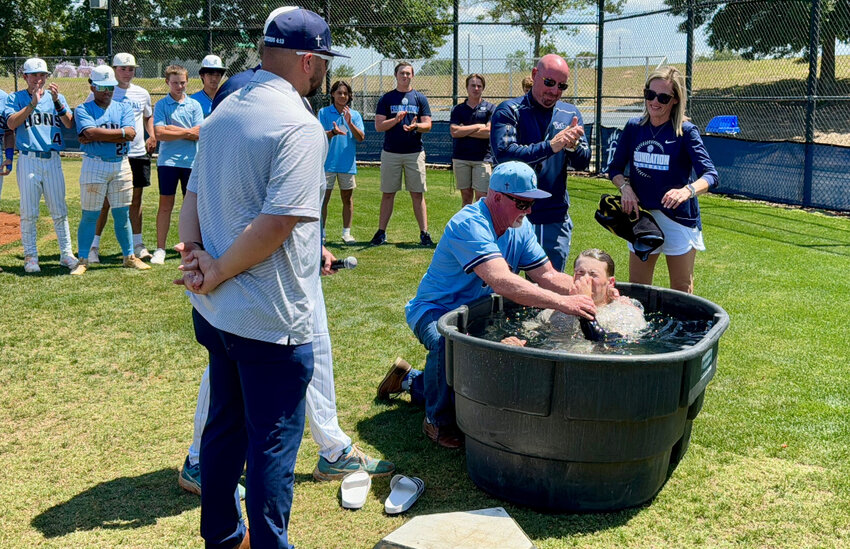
<point x="521" y="129"/>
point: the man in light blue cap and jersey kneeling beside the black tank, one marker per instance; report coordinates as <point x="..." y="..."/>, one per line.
<point x="483" y="248"/>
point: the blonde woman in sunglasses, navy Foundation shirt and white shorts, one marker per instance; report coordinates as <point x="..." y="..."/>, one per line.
<point x="661" y="149"/>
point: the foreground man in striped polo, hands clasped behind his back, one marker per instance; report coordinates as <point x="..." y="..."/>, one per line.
<point x="249" y="236"/>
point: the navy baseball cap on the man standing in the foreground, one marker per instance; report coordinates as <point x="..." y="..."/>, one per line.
<point x="299" y="29"/>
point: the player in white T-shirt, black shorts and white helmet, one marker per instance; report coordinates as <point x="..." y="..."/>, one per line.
<point x="140" y="150"/>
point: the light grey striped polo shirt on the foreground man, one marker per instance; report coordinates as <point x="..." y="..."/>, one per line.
<point x="262" y="152"/>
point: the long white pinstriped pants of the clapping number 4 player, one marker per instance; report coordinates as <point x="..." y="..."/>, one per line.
<point x="37" y="176"/>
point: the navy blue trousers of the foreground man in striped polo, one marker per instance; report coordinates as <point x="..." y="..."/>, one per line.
<point x="256" y="413"/>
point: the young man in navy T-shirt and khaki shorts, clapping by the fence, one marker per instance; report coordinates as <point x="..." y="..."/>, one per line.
<point x="403" y="115"/>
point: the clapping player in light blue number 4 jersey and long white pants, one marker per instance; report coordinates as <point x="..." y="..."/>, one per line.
<point x="36" y="114"/>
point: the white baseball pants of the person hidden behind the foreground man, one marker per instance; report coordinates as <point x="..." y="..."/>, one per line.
<point x="321" y="394"/>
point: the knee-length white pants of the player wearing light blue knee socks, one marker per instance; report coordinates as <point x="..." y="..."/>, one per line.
<point x="100" y="179"/>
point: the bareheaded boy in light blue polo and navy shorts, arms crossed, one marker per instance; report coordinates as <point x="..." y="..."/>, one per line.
<point x="176" y="123"/>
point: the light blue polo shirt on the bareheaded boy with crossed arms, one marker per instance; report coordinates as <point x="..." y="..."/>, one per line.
<point x="184" y="114"/>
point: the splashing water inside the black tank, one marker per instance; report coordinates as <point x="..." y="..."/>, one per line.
<point x="631" y="331"/>
